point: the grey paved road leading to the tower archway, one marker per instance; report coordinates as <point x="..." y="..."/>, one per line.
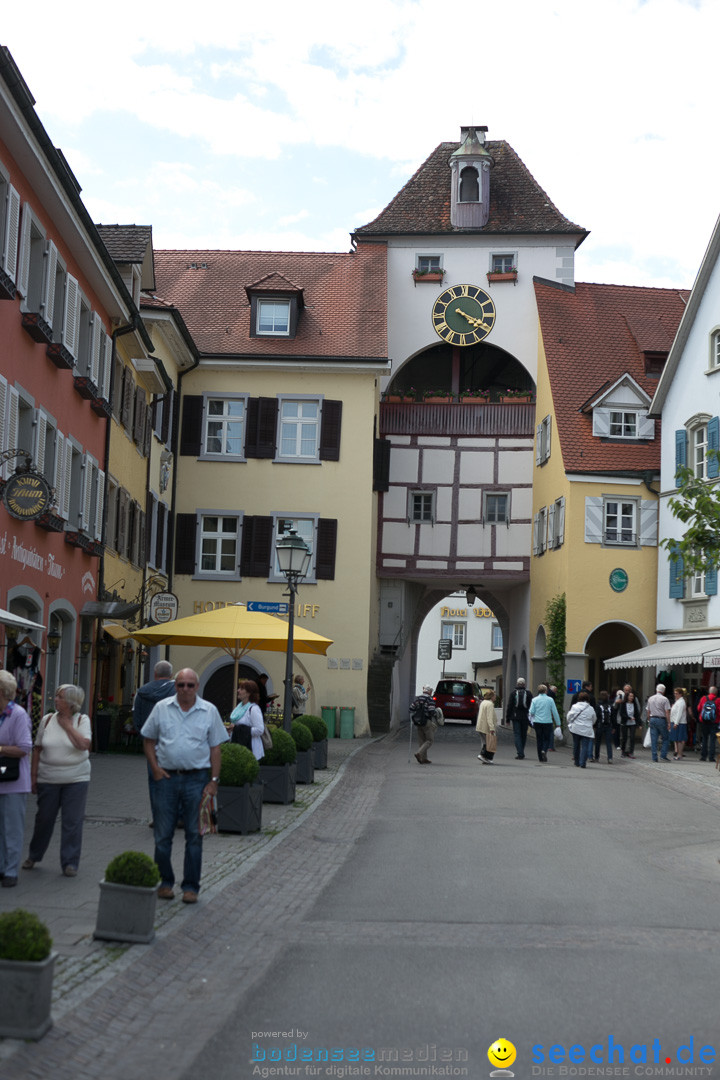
<point x="423" y="913"/>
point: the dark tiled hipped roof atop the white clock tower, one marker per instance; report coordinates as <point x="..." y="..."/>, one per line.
<point x="518" y="202"/>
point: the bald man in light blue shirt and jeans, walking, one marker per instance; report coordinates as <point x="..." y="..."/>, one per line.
<point x="182" y="738"/>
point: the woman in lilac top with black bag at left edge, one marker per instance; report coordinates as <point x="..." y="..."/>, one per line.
<point x="16" y="746"/>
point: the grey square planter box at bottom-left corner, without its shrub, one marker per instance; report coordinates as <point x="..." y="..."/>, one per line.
<point x="26" y="991"/>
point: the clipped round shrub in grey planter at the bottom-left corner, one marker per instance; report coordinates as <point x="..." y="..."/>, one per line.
<point x="26" y="976"/>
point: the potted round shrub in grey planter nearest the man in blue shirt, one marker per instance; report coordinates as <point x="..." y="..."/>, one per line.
<point x="129" y="896"/>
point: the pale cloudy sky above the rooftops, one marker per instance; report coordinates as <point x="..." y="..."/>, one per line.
<point x="238" y="125"/>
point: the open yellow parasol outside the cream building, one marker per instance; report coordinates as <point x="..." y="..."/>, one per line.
<point x="237" y="631"/>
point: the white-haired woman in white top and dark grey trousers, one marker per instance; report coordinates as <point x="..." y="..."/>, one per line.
<point x="61" y="777"/>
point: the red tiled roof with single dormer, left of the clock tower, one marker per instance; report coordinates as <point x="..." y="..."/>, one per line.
<point x="345" y="312"/>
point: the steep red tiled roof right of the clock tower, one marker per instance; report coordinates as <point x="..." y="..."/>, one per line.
<point x="593" y="336"/>
